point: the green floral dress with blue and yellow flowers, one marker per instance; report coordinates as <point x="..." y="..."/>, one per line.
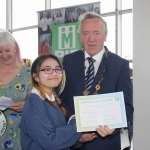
<point x="17" y="90"/>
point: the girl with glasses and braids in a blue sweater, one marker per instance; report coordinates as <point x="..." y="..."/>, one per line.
<point x="43" y="124"/>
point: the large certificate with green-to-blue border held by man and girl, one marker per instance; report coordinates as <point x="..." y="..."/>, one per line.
<point x="103" y="109"/>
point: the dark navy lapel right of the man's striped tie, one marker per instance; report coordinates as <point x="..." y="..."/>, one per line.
<point x="101" y="68"/>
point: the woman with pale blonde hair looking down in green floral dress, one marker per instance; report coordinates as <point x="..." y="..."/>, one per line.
<point x="15" y="83"/>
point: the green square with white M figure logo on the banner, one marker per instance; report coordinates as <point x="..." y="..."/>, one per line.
<point x="65" y="39"/>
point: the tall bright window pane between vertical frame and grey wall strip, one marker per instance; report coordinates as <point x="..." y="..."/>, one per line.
<point x="127" y="36"/>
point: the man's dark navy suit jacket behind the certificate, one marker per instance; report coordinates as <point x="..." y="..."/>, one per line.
<point x="116" y="77"/>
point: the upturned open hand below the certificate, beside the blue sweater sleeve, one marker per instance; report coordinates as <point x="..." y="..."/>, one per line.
<point x="86" y="137"/>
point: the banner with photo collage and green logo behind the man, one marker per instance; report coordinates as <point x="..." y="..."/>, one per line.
<point x="58" y="29"/>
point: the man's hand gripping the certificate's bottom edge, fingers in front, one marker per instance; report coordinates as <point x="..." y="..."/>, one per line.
<point x="104" y="131"/>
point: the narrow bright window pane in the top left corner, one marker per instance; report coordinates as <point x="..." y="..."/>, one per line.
<point x="3" y="14"/>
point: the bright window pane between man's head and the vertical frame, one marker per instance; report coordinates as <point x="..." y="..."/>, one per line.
<point x="110" y="41"/>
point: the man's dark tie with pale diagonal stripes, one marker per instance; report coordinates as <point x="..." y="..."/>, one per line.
<point x="89" y="77"/>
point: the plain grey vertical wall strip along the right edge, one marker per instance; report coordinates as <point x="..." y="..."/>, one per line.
<point x="141" y="74"/>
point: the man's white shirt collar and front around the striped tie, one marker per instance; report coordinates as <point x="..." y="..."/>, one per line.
<point x="98" y="59"/>
